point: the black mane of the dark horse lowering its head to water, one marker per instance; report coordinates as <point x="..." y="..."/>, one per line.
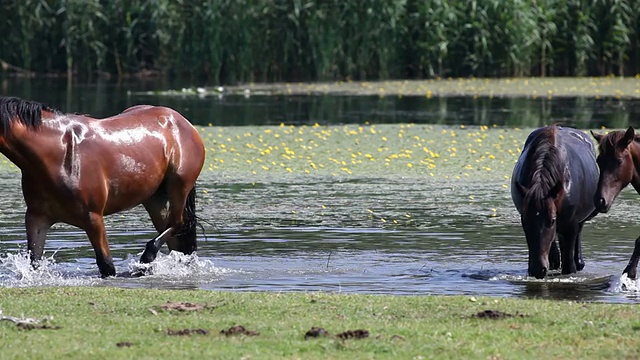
<point x="546" y="169"/>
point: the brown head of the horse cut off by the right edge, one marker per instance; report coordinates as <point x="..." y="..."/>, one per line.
<point x="616" y="166"/>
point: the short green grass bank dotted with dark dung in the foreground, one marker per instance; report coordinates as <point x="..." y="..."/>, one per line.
<point x="93" y="320"/>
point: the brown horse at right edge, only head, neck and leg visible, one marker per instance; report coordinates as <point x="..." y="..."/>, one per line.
<point x="619" y="162"/>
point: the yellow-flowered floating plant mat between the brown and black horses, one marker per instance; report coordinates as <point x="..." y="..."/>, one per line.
<point x="408" y="150"/>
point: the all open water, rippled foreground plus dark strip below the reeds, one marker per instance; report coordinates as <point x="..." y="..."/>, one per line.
<point x="367" y="234"/>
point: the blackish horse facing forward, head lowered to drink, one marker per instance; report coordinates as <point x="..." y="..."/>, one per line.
<point x="552" y="187"/>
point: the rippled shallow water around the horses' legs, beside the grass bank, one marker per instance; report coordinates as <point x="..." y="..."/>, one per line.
<point x="368" y="236"/>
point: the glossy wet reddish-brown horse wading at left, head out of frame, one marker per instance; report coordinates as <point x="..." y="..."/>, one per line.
<point x="76" y="169"/>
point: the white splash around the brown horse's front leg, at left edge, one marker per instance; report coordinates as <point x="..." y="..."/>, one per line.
<point x="16" y="271"/>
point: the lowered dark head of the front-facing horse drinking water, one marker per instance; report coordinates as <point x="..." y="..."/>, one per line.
<point x="538" y="220"/>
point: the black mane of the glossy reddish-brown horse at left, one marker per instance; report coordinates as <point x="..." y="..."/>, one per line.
<point x="27" y="112"/>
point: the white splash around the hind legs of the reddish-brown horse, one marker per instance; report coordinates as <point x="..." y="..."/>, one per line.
<point x="177" y="265"/>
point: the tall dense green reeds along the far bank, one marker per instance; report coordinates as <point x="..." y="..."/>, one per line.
<point x="238" y="41"/>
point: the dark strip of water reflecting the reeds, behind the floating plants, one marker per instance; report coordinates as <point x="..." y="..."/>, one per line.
<point x="104" y="98"/>
